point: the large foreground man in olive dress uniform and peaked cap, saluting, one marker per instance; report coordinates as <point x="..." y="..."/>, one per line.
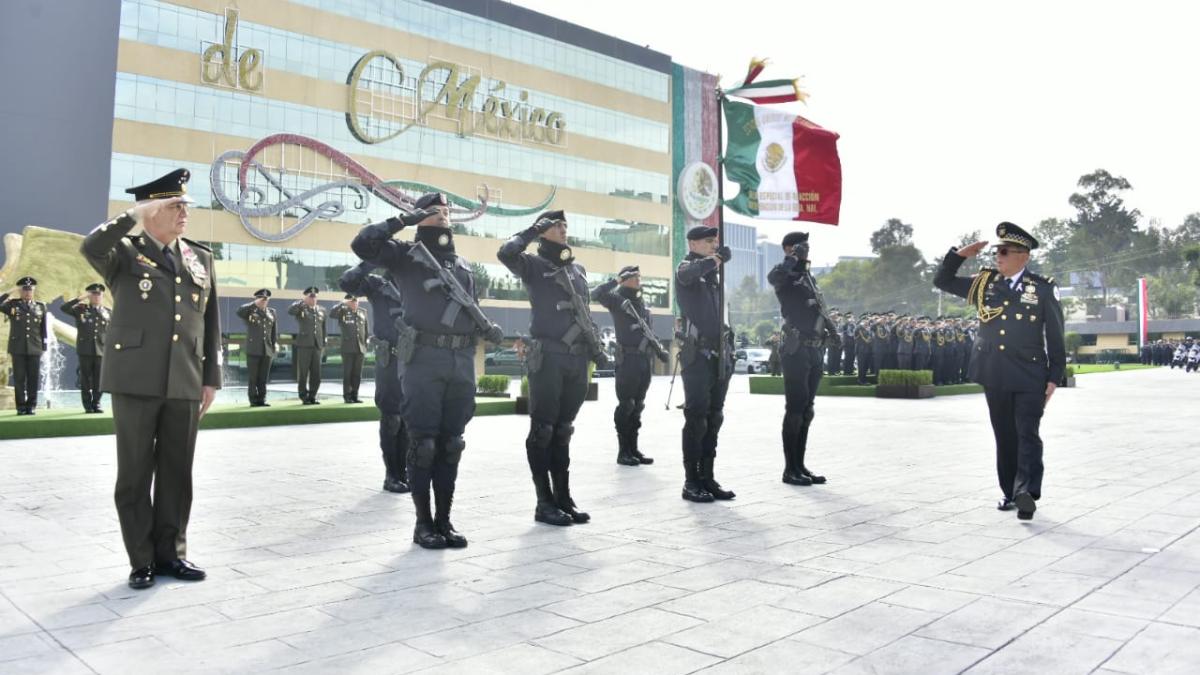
<point x="163" y="367"/>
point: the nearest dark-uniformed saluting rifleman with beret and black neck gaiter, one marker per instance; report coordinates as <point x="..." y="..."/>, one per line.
<point x="440" y="373"/>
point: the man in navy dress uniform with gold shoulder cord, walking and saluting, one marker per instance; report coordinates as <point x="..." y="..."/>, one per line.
<point x="1019" y="356"/>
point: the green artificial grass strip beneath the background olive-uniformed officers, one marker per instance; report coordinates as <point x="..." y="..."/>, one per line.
<point x="75" y="422"/>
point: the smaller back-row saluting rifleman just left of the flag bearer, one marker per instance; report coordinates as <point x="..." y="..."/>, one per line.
<point x="635" y="359"/>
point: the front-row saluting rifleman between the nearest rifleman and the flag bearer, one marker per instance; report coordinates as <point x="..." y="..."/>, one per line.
<point x="563" y="339"/>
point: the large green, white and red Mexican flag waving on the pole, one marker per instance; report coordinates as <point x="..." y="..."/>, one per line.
<point x="788" y="166"/>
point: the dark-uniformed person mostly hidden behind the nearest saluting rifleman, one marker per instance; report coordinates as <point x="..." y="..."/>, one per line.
<point x="387" y="307"/>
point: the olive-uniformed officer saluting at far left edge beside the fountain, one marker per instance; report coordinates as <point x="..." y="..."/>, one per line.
<point x="27" y="342"/>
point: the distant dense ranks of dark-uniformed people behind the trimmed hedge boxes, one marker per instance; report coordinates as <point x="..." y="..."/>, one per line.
<point x="875" y="342"/>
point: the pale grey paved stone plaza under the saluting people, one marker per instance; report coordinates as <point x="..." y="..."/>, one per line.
<point x="901" y="564"/>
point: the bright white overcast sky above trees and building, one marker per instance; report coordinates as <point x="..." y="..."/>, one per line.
<point x="956" y="116"/>
